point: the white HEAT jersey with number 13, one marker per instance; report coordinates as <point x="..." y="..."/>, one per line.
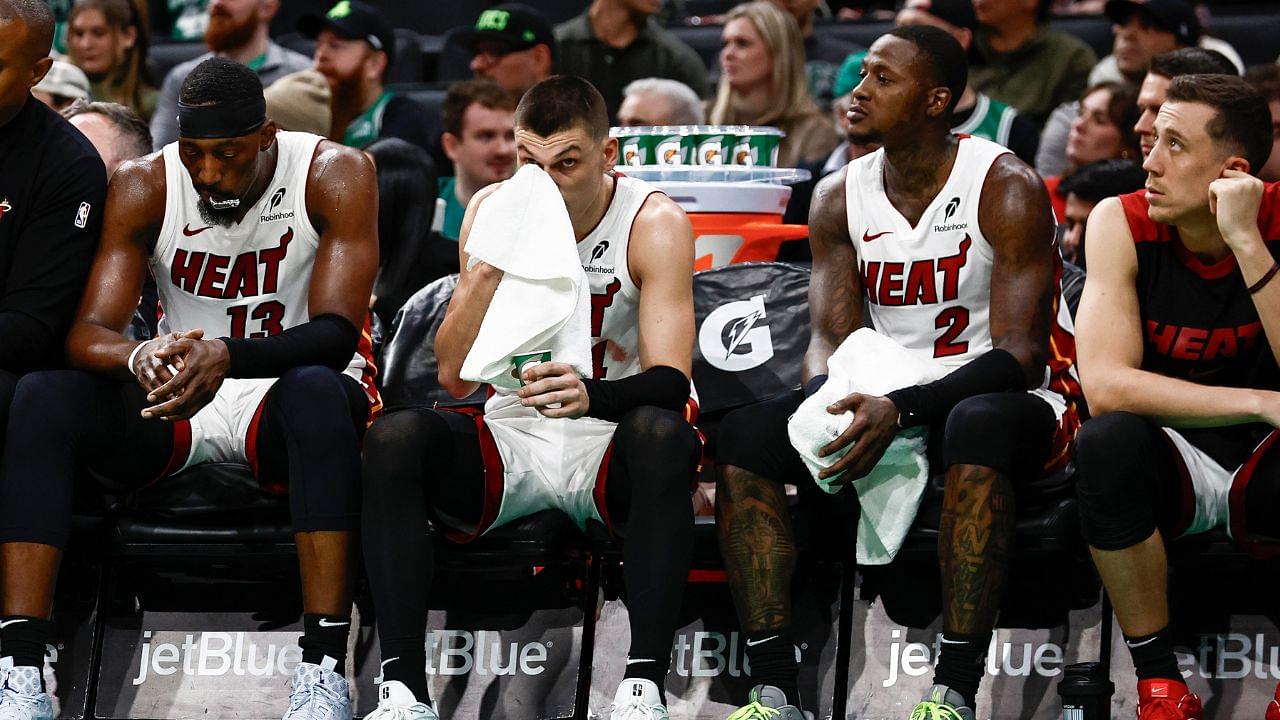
<point x="250" y="280"/>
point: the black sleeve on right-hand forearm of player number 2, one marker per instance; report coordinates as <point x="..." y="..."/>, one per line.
<point x="995" y="371"/>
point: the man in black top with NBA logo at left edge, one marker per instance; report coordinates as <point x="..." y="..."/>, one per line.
<point x="53" y="186"/>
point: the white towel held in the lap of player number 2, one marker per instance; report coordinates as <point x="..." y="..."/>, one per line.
<point x="890" y="495"/>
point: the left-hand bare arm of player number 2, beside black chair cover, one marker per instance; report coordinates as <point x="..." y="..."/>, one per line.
<point x="835" y="286"/>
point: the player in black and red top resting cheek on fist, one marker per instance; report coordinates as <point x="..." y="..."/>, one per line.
<point x="1180" y="338"/>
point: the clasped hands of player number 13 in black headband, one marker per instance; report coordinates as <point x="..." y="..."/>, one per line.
<point x="200" y="368"/>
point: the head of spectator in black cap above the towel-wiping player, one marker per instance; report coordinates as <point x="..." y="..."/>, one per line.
<point x="515" y="47"/>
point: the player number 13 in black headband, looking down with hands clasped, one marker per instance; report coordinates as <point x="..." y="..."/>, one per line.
<point x="264" y="248"/>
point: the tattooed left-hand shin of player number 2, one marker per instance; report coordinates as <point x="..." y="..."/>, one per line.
<point x="758" y="546"/>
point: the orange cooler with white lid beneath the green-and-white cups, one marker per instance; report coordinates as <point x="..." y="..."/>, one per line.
<point x="737" y="212"/>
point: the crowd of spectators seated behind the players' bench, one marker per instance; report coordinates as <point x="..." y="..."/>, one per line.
<point x="429" y="89"/>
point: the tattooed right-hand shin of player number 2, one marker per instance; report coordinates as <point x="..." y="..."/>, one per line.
<point x="973" y="548"/>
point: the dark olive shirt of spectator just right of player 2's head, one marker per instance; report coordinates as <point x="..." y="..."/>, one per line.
<point x="1049" y="70"/>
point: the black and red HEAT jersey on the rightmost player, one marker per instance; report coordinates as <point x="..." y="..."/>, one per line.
<point x="1199" y="322"/>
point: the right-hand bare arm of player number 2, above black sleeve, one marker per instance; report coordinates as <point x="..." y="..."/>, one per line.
<point x="1017" y="220"/>
